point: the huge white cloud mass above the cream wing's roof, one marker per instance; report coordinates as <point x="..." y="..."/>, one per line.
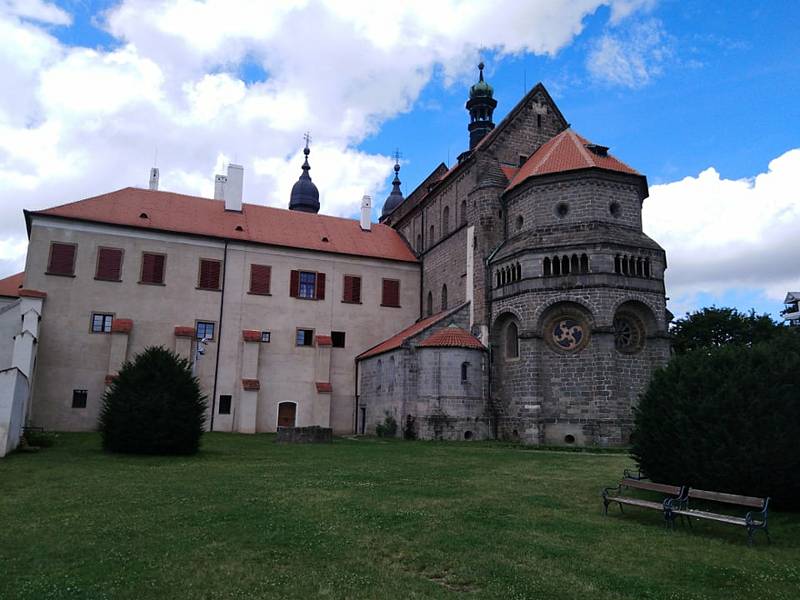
<point x="83" y="121"/>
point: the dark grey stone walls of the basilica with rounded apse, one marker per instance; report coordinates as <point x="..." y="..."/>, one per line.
<point x="563" y="287"/>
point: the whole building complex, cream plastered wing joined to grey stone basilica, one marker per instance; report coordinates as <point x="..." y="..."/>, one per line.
<point x="512" y="295"/>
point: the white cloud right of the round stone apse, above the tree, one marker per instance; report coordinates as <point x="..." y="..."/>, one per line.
<point x="723" y="235"/>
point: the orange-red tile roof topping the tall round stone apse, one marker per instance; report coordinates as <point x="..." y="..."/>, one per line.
<point x="566" y="152"/>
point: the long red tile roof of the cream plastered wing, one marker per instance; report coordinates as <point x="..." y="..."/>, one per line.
<point x="167" y="211"/>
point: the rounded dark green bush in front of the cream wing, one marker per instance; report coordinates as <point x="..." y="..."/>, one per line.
<point x="155" y="406"/>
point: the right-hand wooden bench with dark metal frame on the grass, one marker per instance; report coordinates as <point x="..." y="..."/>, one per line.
<point x="752" y="520"/>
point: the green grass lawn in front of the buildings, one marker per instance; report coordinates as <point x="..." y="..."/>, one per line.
<point x="247" y="518"/>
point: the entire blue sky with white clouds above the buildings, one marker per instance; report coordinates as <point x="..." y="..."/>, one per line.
<point x="701" y="97"/>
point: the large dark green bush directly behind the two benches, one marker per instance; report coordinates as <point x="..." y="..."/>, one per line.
<point x="726" y="419"/>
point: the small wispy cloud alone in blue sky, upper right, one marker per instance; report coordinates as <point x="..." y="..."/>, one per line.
<point x="631" y="57"/>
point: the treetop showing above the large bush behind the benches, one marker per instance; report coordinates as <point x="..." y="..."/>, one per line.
<point x="714" y="327"/>
